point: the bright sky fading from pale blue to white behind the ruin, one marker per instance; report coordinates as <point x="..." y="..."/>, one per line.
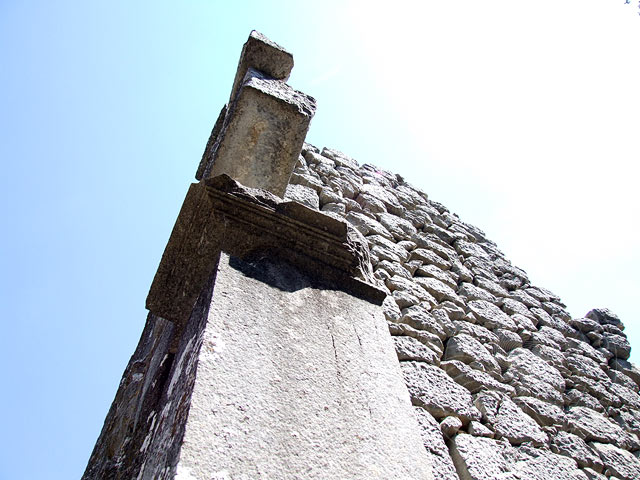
<point x="521" y="117"/>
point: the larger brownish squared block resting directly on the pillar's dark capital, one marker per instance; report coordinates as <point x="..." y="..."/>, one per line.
<point x="262" y="135"/>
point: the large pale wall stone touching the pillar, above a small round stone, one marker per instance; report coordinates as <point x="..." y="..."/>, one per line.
<point x="436" y="392"/>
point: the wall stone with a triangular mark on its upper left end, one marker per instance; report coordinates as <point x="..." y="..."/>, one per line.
<point x="508" y="420"/>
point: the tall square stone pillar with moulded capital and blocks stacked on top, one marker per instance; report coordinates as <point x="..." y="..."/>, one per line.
<point x="266" y="353"/>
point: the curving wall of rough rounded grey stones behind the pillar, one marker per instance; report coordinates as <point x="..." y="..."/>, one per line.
<point x="505" y="384"/>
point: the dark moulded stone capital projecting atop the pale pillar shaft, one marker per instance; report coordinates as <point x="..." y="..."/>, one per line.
<point x="222" y="215"/>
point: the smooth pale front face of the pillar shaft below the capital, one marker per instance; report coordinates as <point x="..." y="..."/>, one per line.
<point x="296" y="381"/>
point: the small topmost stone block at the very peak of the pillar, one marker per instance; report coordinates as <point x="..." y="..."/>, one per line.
<point x="264" y="55"/>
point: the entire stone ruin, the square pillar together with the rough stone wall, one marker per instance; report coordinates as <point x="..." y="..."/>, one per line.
<point x="316" y="318"/>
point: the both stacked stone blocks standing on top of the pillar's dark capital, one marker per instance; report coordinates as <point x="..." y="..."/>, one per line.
<point x="258" y="136"/>
